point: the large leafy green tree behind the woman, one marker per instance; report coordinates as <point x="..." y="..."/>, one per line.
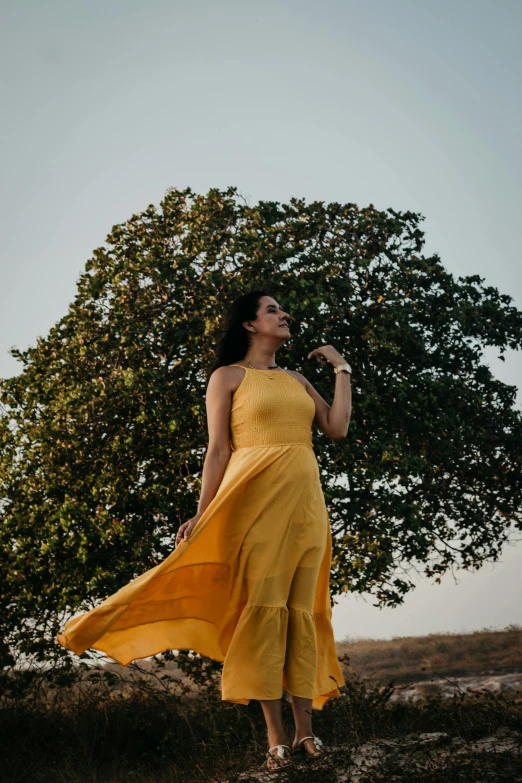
<point x="103" y="432"/>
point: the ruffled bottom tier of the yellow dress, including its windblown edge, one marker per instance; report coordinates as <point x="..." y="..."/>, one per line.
<point x="273" y="648"/>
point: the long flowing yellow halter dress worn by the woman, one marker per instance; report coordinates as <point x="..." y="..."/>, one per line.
<point x="250" y="587"/>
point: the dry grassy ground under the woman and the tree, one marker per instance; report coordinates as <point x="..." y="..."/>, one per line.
<point x="135" y="729"/>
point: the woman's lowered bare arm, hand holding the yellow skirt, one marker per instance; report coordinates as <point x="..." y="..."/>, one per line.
<point x="219" y="403"/>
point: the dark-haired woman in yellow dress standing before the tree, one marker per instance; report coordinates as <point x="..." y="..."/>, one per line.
<point x="248" y="580"/>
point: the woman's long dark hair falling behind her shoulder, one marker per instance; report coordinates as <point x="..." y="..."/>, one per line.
<point x="234" y="342"/>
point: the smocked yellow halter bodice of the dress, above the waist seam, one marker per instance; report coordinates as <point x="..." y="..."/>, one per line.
<point x="270" y="411"/>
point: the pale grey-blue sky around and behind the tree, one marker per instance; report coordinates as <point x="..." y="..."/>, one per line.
<point x="399" y="103"/>
